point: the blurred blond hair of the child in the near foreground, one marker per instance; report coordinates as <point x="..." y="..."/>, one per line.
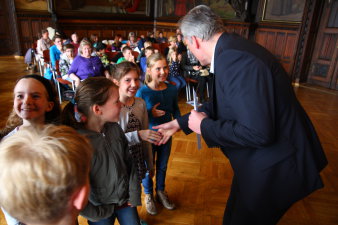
<point x="40" y="170"/>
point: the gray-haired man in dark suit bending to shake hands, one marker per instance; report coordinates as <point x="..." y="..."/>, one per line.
<point x="254" y="117"/>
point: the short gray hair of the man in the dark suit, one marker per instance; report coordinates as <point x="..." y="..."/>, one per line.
<point x="201" y="22"/>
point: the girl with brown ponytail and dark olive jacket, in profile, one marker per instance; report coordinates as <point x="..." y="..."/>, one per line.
<point x="115" y="190"/>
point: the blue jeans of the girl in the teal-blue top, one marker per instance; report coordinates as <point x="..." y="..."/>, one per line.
<point x="163" y="153"/>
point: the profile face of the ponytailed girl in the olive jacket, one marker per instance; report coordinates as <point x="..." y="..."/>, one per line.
<point x="111" y="109"/>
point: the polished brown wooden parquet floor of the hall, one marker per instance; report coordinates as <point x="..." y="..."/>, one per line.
<point x="199" y="181"/>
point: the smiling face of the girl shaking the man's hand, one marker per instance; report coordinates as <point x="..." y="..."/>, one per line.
<point x="129" y="84"/>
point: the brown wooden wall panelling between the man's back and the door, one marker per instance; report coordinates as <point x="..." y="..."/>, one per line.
<point x="281" y="43"/>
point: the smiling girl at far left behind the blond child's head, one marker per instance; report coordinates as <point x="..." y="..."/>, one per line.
<point x="35" y="103"/>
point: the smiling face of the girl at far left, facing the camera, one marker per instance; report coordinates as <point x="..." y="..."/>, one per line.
<point x="31" y="101"/>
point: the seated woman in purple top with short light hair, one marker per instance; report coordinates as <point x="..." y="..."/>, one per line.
<point x="85" y="65"/>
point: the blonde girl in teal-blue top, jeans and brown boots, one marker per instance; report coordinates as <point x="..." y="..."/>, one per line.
<point x="161" y="103"/>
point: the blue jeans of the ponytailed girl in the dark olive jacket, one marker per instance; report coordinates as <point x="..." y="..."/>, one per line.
<point x="125" y="216"/>
